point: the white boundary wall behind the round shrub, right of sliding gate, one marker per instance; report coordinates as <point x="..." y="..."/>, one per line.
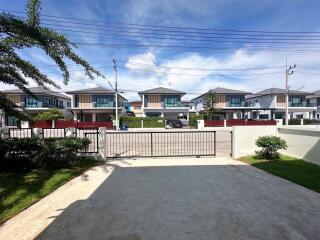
<point x="303" y="142"/>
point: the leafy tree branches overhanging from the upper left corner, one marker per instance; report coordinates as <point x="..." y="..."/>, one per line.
<point x="17" y="33"/>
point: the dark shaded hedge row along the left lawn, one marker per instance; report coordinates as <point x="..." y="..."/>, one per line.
<point x="28" y="153"/>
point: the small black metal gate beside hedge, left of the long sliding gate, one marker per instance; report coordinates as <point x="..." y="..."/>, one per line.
<point x="93" y="135"/>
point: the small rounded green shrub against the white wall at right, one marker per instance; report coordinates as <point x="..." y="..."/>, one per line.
<point x="270" y="146"/>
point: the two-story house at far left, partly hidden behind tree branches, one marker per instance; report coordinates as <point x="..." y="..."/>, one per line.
<point x="44" y="99"/>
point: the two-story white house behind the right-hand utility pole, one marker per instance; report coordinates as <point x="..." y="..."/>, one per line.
<point x="271" y="103"/>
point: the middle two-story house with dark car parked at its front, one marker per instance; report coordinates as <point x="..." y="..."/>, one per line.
<point x="163" y="102"/>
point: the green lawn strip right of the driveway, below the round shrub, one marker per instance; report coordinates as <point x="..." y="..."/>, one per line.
<point x="295" y="170"/>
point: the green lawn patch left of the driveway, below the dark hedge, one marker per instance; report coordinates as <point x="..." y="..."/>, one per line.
<point x="20" y="190"/>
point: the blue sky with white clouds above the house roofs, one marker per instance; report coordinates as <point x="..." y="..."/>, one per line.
<point x="152" y="66"/>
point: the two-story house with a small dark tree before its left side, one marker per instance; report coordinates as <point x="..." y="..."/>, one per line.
<point x="229" y="103"/>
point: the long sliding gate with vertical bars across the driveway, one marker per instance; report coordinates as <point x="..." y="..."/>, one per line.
<point x="160" y="144"/>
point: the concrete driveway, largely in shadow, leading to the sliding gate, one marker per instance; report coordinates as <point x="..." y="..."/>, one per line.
<point x="175" y="198"/>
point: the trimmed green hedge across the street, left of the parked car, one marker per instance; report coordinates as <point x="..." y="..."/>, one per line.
<point x="148" y="122"/>
